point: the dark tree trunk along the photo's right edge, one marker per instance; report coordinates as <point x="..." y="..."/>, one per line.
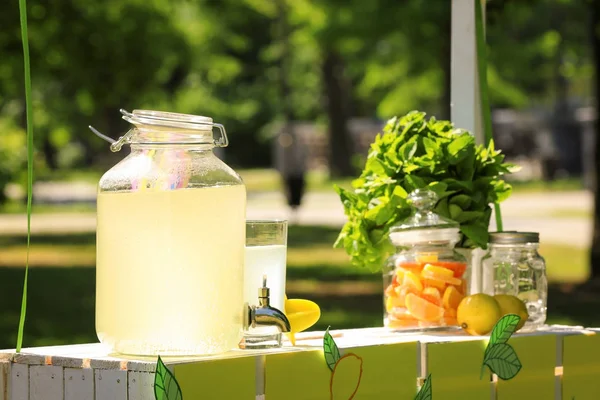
<point x="595" y="250"/>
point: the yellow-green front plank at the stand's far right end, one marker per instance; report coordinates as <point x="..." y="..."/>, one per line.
<point x="581" y="367"/>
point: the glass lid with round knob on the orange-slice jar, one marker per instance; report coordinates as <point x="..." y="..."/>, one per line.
<point x="424" y="226"/>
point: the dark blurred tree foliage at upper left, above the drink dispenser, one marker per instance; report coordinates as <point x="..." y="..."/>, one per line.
<point x="109" y="55"/>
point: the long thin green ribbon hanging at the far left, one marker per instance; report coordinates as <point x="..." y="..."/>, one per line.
<point x="29" y="118"/>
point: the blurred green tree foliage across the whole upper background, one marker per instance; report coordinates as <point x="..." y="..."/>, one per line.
<point x="343" y="59"/>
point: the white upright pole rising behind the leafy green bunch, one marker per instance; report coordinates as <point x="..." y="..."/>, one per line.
<point x="464" y="79"/>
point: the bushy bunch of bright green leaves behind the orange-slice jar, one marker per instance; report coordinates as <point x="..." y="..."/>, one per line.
<point x="414" y="152"/>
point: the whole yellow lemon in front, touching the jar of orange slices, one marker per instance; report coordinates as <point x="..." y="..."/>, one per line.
<point x="478" y="313"/>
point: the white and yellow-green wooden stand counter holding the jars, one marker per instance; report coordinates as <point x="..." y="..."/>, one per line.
<point x="88" y="372"/>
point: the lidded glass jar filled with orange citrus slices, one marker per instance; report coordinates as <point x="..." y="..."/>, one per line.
<point x="426" y="279"/>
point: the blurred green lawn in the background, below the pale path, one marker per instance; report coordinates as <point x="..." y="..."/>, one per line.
<point x="62" y="285"/>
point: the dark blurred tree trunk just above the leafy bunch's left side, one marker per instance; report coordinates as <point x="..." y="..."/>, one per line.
<point x="340" y="144"/>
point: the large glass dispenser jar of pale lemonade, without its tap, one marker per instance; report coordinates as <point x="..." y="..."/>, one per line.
<point x="170" y="241"/>
